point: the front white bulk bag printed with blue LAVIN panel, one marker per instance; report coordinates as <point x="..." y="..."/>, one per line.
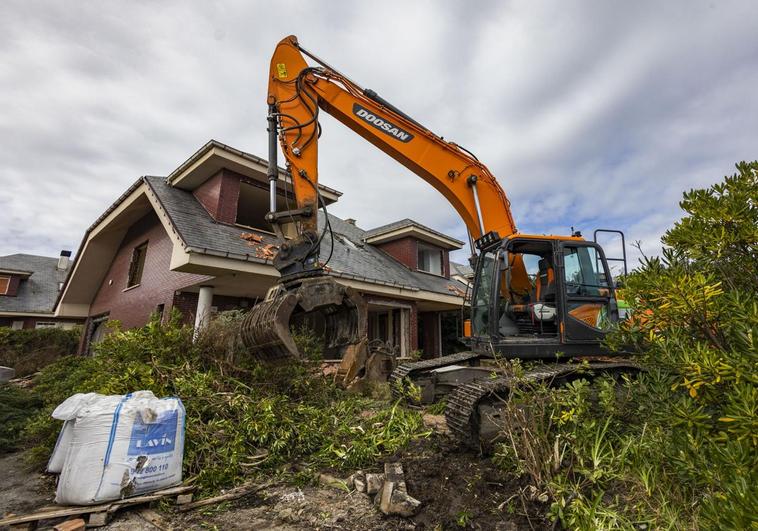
<point x="133" y="448"/>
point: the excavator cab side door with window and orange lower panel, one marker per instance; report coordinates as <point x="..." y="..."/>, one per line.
<point x="589" y="305"/>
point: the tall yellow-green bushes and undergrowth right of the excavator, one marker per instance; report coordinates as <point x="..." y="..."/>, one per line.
<point x="675" y="447"/>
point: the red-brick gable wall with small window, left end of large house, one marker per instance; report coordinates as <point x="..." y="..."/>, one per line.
<point x="158" y="283"/>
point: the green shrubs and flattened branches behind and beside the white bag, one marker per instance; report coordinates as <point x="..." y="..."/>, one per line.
<point x="243" y="419"/>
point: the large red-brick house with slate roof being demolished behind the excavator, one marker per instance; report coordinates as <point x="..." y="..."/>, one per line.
<point x="197" y="241"/>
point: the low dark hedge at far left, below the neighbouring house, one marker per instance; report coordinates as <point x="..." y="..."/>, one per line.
<point x="28" y="350"/>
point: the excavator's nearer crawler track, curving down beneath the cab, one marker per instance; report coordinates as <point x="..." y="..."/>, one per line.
<point x="463" y="405"/>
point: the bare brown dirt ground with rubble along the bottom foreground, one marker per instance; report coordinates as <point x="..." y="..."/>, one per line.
<point x="458" y="490"/>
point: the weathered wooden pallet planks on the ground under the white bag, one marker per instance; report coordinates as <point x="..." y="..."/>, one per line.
<point x="98" y="515"/>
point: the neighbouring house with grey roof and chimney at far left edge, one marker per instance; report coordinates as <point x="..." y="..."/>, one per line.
<point x="29" y="285"/>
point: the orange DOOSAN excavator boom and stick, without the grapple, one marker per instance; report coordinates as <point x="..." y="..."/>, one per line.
<point x="297" y="93"/>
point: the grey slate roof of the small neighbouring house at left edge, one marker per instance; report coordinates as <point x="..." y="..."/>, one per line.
<point x="36" y="294"/>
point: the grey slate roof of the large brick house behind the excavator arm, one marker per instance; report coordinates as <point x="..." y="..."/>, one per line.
<point x="351" y="257"/>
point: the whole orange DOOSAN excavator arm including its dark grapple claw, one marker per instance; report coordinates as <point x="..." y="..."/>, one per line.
<point x="297" y="93"/>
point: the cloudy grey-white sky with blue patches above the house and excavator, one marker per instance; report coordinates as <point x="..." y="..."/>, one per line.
<point x="591" y="114"/>
